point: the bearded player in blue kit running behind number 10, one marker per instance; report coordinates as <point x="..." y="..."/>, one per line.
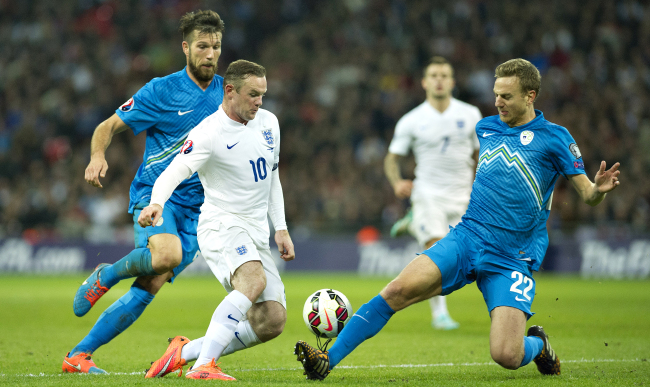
<point x="167" y="109"/>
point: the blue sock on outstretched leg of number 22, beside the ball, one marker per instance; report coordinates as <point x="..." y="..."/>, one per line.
<point x="364" y="324"/>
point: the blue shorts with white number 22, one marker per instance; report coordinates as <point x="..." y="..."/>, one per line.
<point x="503" y="280"/>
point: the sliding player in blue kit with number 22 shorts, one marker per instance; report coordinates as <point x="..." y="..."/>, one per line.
<point x="502" y="238"/>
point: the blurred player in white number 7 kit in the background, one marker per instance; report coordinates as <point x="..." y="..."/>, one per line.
<point x="441" y="133"/>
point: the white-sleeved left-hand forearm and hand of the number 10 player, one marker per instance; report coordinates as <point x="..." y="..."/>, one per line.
<point x="162" y="190"/>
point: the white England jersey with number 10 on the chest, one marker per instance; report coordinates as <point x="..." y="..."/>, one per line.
<point x="234" y="162"/>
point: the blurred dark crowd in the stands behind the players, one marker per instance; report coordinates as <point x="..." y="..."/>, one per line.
<point x="340" y="75"/>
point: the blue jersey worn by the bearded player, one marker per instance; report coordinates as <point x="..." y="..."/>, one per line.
<point x="168" y="108"/>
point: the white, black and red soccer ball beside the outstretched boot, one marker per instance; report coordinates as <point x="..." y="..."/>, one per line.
<point x="326" y="312"/>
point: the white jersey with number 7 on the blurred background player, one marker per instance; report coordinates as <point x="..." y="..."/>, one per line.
<point x="443" y="145"/>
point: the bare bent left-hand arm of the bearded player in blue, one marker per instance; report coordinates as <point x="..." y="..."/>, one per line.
<point x="100" y="141"/>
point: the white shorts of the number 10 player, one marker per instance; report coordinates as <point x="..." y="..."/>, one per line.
<point x="226" y="249"/>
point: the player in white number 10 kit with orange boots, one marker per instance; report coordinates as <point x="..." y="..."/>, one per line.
<point x="235" y="152"/>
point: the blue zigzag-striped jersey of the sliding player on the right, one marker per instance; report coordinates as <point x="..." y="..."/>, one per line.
<point x="513" y="189"/>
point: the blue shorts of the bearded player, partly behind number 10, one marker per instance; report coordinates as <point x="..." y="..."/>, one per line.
<point x="173" y="221"/>
